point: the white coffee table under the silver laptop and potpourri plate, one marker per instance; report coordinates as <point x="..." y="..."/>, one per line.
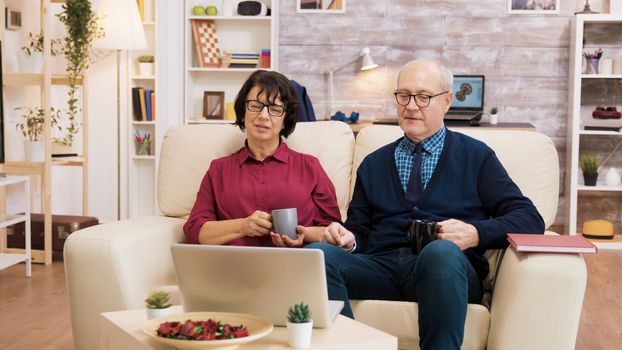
<point x="123" y="330"/>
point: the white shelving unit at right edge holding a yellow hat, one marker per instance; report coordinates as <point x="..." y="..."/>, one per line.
<point x="588" y="32"/>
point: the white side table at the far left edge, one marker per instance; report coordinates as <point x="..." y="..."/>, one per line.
<point x="9" y="259"/>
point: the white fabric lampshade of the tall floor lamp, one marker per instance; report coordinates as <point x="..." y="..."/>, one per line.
<point x="122" y="26"/>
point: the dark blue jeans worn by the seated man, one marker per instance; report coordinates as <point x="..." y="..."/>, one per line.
<point x="440" y="279"/>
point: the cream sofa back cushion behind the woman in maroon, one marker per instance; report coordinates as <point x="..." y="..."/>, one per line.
<point x="187" y="152"/>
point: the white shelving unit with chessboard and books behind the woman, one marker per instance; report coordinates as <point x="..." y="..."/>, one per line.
<point x="234" y="33"/>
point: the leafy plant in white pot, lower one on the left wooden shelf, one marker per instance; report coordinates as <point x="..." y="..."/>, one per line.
<point x="31" y="127"/>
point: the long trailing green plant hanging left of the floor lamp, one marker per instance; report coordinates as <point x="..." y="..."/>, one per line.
<point x="82" y="27"/>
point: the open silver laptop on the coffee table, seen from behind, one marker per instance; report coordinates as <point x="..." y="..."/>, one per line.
<point x="255" y="280"/>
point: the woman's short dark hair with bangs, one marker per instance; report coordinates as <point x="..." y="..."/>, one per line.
<point x="273" y="85"/>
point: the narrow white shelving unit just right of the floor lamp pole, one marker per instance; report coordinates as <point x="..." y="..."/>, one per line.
<point x="142" y="168"/>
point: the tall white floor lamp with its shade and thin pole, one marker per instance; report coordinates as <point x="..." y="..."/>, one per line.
<point x="123" y="31"/>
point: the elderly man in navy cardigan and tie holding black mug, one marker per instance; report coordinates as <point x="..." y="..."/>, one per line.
<point x="430" y="173"/>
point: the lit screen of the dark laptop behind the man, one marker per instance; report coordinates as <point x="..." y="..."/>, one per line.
<point x="468" y="93"/>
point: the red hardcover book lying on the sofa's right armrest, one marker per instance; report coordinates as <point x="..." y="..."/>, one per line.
<point x="524" y="242"/>
